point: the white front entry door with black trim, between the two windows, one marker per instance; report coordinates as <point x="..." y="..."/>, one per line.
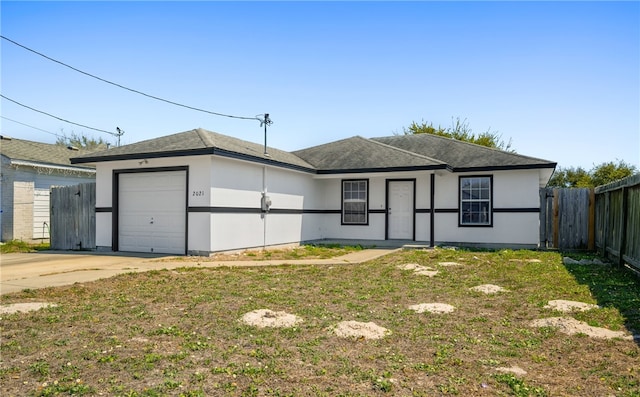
<point x="400" y="210"/>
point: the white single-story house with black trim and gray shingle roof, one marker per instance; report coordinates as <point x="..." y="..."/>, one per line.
<point x="199" y="192"/>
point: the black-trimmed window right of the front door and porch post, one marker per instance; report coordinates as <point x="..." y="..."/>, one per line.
<point x="475" y="201"/>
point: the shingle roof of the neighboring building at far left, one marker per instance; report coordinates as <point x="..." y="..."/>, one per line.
<point x="37" y="152"/>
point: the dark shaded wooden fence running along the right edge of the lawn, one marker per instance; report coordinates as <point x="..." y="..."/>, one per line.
<point x="618" y="221"/>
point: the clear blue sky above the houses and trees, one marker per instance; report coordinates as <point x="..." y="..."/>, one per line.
<point x="560" y="79"/>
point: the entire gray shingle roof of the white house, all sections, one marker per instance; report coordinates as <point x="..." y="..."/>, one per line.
<point x="351" y="155"/>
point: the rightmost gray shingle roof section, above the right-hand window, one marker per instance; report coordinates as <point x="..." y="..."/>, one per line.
<point x="462" y="155"/>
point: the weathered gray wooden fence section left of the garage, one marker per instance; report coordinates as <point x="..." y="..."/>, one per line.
<point x="73" y="217"/>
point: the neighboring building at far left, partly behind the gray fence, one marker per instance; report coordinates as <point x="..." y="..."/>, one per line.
<point x="29" y="170"/>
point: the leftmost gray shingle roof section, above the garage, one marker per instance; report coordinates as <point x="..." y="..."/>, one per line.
<point x="195" y="142"/>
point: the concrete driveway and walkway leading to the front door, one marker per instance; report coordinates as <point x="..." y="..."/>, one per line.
<point x="54" y="268"/>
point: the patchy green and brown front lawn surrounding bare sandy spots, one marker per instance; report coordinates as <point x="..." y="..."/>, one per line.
<point x="177" y="332"/>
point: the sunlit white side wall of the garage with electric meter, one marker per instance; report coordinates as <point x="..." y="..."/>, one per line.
<point x="236" y="192"/>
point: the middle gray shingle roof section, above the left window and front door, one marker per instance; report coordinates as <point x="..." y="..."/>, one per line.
<point x="359" y="153"/>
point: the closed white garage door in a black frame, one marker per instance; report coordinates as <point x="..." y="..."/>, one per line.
<point x="152" y="212"/>
